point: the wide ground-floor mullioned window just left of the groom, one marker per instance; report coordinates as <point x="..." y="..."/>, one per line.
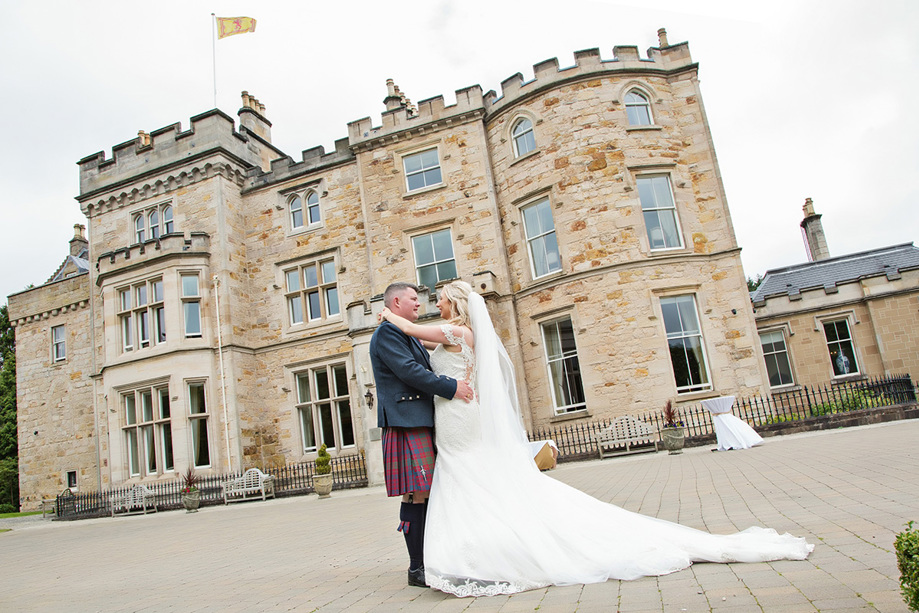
<point x="324" y="408"/>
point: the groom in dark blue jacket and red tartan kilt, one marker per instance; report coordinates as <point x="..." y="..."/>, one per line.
<point x="405" y="410"/>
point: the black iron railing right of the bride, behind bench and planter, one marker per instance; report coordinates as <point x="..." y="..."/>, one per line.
<point x="577" y="441"/>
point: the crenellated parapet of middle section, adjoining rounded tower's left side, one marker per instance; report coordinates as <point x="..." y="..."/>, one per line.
<point x="431" y="115"/>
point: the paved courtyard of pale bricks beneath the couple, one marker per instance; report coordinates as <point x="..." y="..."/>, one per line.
<point x="849" y="491"/>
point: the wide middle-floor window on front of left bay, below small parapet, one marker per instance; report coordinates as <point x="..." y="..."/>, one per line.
<point x="142" y="315"/>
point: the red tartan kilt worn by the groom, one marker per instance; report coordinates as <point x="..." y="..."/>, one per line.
<point x="408" y="460"/>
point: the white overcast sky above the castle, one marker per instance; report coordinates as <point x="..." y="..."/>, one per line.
<point x="805" y="98"/>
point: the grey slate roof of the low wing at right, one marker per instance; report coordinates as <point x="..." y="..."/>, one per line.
<point x="831" y="272"/>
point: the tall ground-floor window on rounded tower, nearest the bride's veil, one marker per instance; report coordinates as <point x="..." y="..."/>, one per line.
<point x="564" y="366"/>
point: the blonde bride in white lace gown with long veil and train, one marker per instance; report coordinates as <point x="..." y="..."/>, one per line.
<point x="497" y="525"/>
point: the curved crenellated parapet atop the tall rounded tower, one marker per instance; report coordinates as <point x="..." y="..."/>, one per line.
<point x="664" y="60"/>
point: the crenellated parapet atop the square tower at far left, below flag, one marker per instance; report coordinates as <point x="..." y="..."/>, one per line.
<point x="170" y="147"/>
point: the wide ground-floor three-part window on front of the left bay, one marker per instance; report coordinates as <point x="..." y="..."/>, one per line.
<point x="147" y="430"/>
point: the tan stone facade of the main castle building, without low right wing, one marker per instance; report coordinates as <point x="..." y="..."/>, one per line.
<point x="231" y="292"/>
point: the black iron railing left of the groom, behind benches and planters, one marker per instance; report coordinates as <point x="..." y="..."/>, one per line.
<point x="290" y="480"/>
